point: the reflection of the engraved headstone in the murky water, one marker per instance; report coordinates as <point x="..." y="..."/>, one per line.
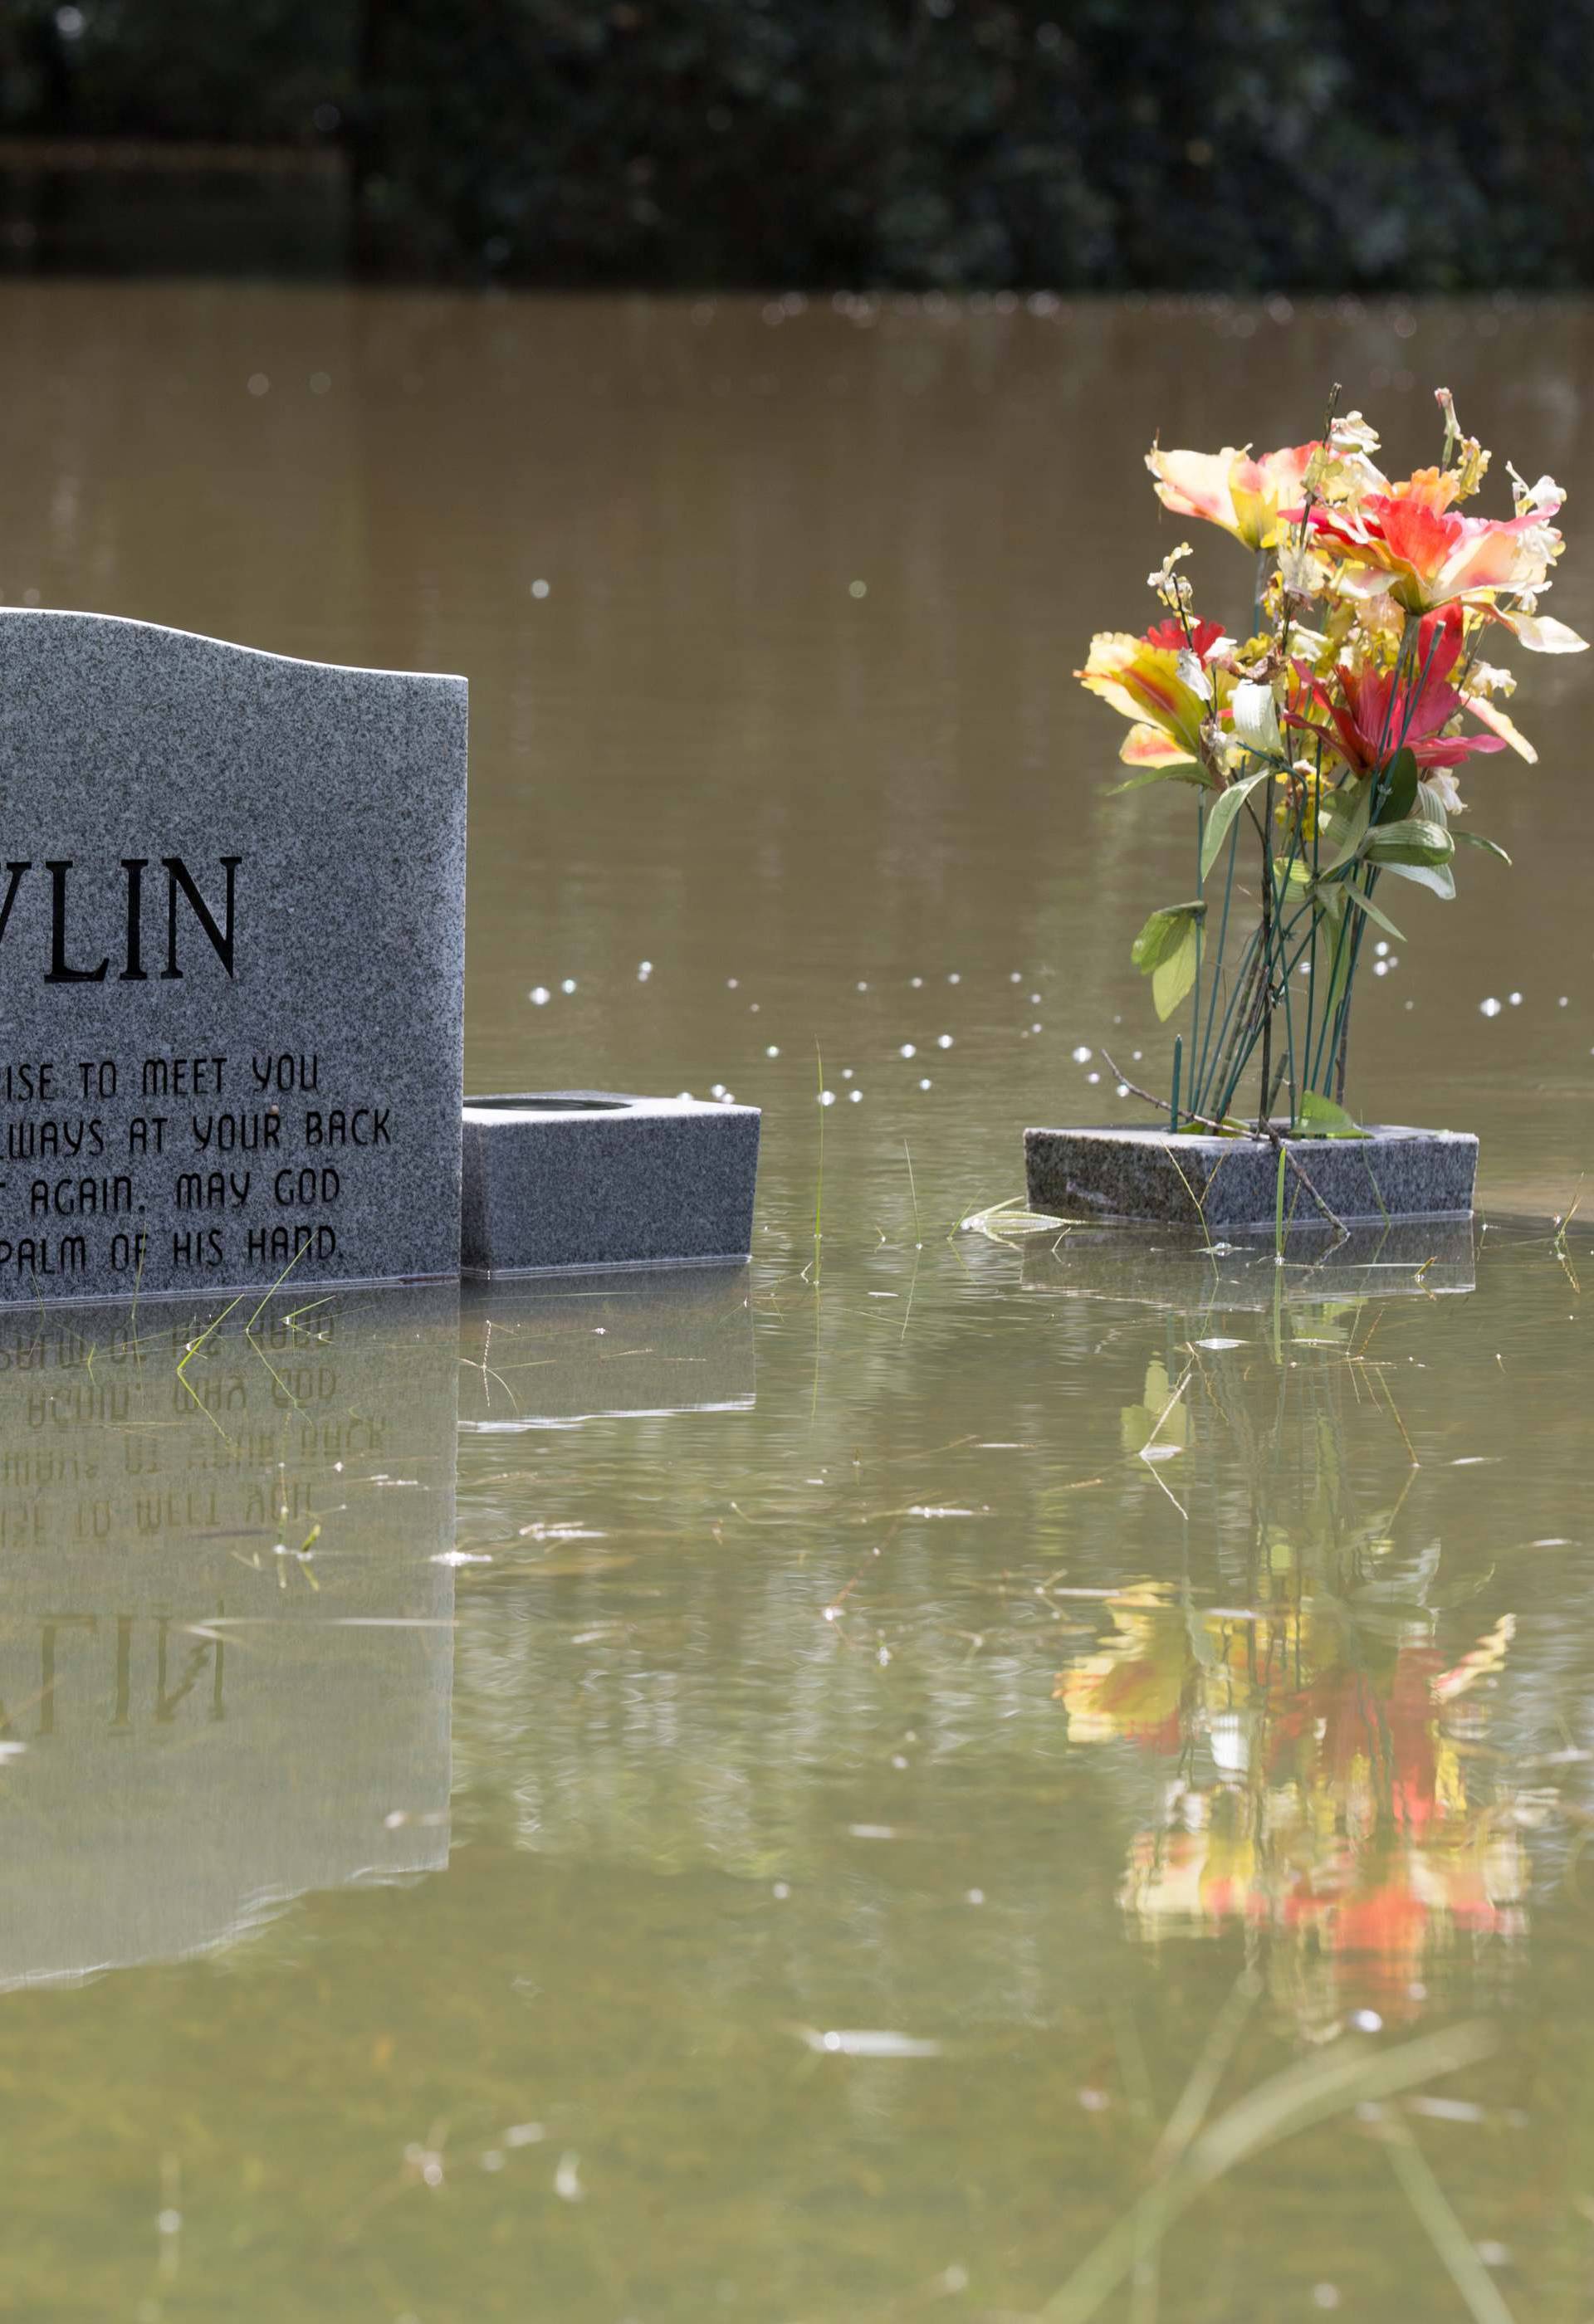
<point x="227" y="1630"/>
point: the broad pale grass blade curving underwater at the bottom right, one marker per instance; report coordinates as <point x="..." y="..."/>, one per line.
<point x="1314" y="2090"/>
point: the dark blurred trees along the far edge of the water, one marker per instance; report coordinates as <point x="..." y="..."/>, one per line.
<point x="1430" y="145"/>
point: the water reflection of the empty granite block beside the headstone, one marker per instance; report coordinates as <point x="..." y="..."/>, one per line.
<point x="582" y="1347"/>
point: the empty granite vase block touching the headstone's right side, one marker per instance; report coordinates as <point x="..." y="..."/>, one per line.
<point x="594" y="1179"/>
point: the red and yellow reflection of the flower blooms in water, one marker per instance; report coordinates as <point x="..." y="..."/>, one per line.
<point x="1337" y="1819"/>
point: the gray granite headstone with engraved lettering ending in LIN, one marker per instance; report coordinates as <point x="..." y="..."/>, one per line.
<point x="299" y="1079"/>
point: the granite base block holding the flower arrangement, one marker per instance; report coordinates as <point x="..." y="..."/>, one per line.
<point x="1144" y="1175"/>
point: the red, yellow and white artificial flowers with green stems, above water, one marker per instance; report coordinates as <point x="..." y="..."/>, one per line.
<point x="1323" y="752"/>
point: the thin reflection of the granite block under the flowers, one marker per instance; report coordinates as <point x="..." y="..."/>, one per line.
<point x="1175" y="1270"/>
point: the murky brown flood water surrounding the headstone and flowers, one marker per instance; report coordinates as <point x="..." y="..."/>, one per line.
<point x="794" y="1793"/>
